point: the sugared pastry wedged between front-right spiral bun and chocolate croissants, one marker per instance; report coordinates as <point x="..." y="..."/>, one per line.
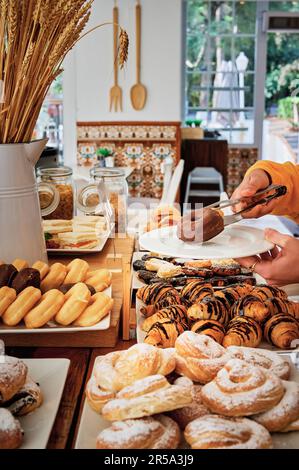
<point x="270" y="360"/>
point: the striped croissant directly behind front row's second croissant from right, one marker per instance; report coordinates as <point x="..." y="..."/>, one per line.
<point x="250" y="306"/>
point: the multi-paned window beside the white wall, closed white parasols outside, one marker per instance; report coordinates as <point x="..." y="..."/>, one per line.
<point x="220" y="67"/>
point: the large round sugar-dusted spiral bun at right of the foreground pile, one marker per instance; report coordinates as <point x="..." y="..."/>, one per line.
<point x="242" y="389"/>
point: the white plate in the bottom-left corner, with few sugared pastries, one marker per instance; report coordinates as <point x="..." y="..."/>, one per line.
<point x="51" y="375"/>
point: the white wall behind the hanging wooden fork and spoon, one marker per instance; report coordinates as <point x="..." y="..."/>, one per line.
<point x="89" y="69"/>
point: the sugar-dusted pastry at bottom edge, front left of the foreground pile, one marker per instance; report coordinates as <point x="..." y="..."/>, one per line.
<point x="159" y="432"/>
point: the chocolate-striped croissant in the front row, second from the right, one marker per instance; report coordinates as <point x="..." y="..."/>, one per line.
<point x="242" y="331"/>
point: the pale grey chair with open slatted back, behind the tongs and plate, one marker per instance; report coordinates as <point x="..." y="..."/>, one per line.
<point x="206" y="176"/>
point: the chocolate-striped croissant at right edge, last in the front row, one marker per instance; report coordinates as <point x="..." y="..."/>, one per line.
<point x="282" y="331"/>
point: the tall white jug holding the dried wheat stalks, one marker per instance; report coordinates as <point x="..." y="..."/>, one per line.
<point x="21" y="233"/>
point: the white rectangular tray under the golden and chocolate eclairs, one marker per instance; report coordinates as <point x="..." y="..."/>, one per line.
<point x="53" y="327"/>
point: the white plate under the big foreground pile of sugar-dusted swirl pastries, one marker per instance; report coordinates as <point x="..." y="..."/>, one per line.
<point x="91" y="424"/>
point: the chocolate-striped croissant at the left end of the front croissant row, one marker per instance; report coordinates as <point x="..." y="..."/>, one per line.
<point x="164" y="333"/>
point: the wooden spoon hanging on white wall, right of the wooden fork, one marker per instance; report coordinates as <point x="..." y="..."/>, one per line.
<point x="138" y="91"/>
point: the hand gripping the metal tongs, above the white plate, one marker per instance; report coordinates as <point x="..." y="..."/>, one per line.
<point x="256" y="181"/>
